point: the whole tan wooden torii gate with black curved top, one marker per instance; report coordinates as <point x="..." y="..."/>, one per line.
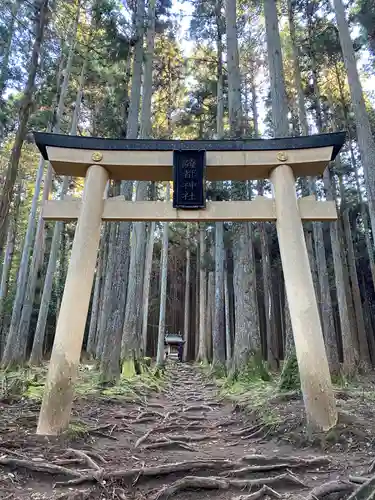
<point x="280" y="160"/>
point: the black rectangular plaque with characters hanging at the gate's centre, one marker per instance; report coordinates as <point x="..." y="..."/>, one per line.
<point x="189" y="170"/>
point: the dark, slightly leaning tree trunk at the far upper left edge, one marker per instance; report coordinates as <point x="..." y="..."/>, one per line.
<point x="41" y="11"/>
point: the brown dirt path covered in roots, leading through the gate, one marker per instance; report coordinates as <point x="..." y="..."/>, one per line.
<point x="182" y="443"/>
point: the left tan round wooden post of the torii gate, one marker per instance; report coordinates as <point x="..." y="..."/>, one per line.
<point x="59" y="390"/>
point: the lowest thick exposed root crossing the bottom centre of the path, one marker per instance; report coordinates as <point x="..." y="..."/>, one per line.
<point x="214" y="483"/>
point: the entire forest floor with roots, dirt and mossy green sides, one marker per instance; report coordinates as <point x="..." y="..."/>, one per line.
<point x="187" y="439"/>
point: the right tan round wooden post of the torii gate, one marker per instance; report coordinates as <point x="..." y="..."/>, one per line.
<point x="308" y="337"/>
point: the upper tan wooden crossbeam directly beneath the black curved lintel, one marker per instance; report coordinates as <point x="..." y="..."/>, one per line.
<point x="157" y="165"/>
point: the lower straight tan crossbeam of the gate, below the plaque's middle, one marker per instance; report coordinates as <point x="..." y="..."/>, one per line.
<point x="260" y="209"/>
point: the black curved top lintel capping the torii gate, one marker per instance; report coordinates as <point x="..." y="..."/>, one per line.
<point x="43" y="140"/>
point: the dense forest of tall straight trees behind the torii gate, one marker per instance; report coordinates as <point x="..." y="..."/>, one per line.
<point x="121" y="69"/>
